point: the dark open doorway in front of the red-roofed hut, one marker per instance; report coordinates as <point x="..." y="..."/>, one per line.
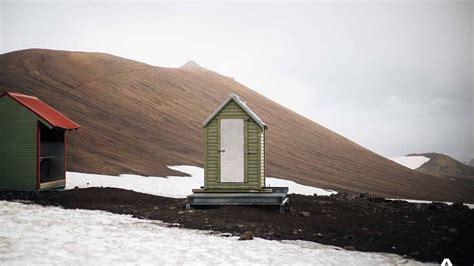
<point x="51" y="154"/>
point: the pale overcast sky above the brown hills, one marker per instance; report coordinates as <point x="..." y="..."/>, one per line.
<point x="396" y="78"/>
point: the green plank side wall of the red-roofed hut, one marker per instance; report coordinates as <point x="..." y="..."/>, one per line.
<point x="17" y="146"/>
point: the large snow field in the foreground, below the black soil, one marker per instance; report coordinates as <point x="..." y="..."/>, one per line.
<point x="32" y="234"/>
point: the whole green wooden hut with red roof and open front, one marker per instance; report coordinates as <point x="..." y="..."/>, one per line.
<point x="32" y="143"/>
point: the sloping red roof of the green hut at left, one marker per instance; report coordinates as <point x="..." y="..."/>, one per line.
<point x="43" y="110"/>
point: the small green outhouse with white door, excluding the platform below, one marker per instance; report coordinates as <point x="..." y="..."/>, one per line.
<point x="234" y="148"/>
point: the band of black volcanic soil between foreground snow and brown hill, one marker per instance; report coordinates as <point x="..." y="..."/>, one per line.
<point x="425" y="232"/>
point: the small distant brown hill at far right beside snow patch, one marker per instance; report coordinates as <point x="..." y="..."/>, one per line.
<point x="443" y="165"/>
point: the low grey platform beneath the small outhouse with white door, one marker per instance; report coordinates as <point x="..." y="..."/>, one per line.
<point x="275" y="197"/>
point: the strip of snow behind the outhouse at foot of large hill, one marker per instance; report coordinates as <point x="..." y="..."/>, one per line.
<point x="172" y="186"/>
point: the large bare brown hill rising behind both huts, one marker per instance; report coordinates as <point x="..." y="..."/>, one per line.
<point x="138" y="118"/>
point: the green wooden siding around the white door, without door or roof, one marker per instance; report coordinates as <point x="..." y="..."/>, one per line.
<point x="253" y="171"/>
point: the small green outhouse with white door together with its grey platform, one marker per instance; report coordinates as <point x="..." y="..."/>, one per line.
<point x="234" y="160"/>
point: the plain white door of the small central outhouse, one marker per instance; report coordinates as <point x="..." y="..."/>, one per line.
<point x="232" y="150"/>
